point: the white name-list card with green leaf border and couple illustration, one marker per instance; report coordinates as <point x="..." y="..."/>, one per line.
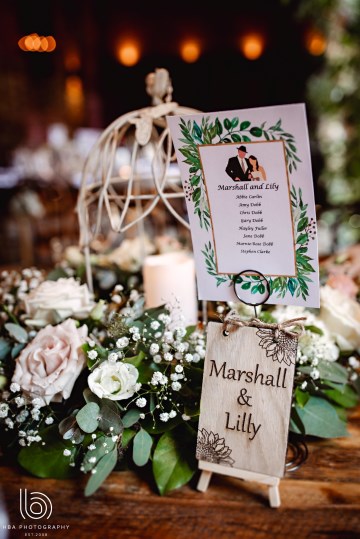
<point x="249" y="190"/>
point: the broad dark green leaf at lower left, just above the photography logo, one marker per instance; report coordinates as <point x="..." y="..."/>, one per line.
<point x="48" y="460"/>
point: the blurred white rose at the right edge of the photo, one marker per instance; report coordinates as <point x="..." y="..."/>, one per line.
<point x="341" y="315"/>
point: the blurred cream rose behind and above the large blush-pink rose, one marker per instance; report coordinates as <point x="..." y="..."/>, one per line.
<point x="54" y="301"/>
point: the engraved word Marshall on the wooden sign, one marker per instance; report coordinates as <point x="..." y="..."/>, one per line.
<point x="250" y="377"/>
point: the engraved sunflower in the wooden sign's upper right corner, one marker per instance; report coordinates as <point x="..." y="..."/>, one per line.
<point x="279" y="345"/>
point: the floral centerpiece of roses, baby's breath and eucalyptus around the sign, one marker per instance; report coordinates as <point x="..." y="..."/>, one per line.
<point x="89" y="386"/>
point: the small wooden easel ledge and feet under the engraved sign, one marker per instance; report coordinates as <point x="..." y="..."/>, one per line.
<point x="208" y="468"/>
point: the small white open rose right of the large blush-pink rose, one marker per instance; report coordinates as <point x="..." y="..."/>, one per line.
<point x="114" y="381"/>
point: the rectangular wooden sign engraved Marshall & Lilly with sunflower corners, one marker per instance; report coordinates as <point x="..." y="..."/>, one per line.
<point x="246" y="401"/>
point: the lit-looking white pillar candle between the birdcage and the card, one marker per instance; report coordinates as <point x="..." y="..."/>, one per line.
<point x="168" y="277"/>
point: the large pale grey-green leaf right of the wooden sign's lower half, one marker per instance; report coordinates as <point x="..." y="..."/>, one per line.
<point x="319" y="418"/>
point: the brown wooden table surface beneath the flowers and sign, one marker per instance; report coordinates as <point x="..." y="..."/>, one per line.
<point x="321" y="499"/>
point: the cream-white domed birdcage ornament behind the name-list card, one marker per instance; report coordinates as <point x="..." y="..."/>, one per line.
<point x="104" y="188"/>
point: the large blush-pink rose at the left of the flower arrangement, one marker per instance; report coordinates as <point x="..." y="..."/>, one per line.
<point x="50" y="364"/>
